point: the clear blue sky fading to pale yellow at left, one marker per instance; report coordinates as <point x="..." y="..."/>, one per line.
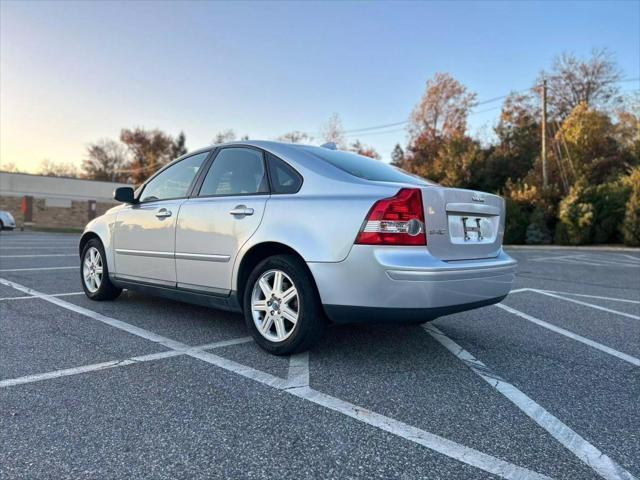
<point x="72" y="73"/>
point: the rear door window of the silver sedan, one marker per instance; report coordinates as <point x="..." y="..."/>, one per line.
<point x="236" y="171"/>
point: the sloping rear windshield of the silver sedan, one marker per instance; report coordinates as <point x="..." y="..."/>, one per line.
<point x="365" y="167"/>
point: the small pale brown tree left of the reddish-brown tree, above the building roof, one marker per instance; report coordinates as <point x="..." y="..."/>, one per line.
<point x="106" y="160"/>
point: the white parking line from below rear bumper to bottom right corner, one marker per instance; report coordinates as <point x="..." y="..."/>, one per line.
<point x="581" y="448"/>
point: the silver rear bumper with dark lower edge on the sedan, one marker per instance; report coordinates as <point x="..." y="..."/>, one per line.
<point x="381" y="284"/>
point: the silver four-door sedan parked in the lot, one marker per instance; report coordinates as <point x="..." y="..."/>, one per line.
<point x="296" y="236"/>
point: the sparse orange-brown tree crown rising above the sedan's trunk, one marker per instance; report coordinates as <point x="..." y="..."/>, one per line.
<point x="442" y="112"/>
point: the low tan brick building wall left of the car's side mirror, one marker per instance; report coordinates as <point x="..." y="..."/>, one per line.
<point x="69" y="214"/>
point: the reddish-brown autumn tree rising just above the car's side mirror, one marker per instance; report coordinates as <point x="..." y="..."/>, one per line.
<point x="150" y="150"/>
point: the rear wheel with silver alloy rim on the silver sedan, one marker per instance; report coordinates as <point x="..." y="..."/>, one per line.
<point x="282" y="308"/>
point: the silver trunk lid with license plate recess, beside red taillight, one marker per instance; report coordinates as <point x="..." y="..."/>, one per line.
<point x="463" y="224"/>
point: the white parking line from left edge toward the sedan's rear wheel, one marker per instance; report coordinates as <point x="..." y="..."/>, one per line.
<point x="116" y="363"/>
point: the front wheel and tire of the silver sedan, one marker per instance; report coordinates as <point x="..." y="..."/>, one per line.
<point x="94" y="273"/>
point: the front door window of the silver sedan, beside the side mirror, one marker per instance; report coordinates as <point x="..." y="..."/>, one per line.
<point x="174" y="182"/>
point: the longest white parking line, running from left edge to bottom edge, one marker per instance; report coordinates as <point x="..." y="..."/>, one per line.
<point x="436" y="443"/>
